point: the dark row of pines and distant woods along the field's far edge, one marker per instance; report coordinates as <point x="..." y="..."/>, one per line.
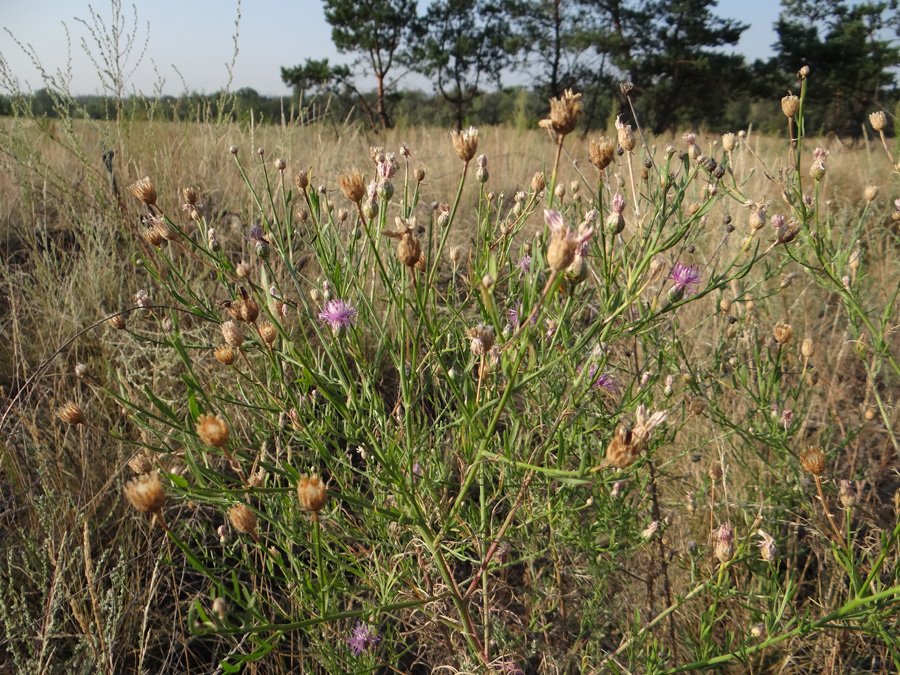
<point x="678" y="54"/>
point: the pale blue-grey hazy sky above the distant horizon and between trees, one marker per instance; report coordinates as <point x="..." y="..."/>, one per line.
<point x="190" y="43"/>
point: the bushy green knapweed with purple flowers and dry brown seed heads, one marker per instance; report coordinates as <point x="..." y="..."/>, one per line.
<point x="578" y="423"/>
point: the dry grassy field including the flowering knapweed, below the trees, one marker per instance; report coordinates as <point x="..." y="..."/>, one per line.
<point x="636" y="414"/>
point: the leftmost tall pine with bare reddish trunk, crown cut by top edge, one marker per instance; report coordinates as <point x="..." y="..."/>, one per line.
<point x="378" y="30"/>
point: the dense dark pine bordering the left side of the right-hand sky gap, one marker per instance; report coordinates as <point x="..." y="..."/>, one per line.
<point x="676" y="63"/>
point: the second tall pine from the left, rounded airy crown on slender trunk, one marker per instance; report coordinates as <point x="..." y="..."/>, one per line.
<point x="462" y="42"/>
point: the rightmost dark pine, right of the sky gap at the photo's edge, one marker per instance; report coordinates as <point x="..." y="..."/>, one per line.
<point x="851" y="50"/>
